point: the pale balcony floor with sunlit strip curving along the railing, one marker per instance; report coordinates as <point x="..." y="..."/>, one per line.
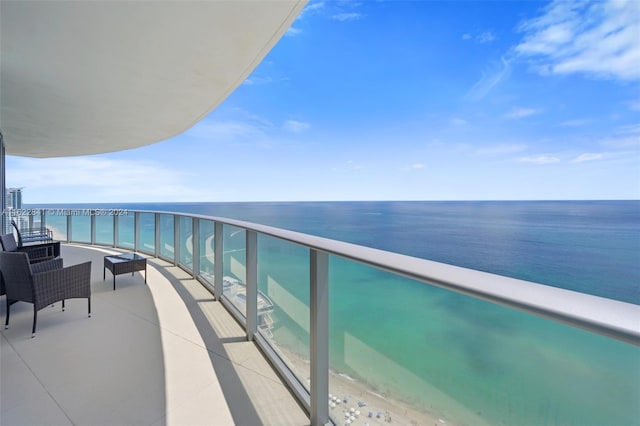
<point x="156" y="354"/>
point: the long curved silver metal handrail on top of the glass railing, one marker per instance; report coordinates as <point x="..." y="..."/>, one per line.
<point x="611" y="318"/>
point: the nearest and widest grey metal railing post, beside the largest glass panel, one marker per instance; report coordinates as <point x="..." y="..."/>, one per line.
<point x="319" y="310"/>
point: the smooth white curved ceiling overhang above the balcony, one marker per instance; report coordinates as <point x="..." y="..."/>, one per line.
<point x="88" y="77"/>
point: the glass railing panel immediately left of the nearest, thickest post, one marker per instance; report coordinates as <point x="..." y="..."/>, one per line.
<point x="283" y="302"/>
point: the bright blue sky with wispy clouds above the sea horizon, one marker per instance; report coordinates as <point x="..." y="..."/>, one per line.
<point x="401" y="101"/>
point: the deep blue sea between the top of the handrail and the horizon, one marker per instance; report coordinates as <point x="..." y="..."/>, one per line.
<point x="587" y="246"/>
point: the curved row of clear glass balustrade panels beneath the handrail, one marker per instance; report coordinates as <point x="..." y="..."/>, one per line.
<point x="400" y="350"/>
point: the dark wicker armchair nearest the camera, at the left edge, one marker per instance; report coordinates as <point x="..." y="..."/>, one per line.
<point x="43" y="283"/>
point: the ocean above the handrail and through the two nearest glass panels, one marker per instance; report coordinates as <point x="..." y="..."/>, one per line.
<point x="437" y="350"/>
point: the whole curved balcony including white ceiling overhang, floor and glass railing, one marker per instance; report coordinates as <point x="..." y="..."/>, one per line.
<point x="246" y="324"/>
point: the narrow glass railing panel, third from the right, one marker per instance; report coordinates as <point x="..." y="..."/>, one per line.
<point x="234" y="259"/>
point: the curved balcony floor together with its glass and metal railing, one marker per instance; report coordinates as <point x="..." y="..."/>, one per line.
<point x="270" y="345"/>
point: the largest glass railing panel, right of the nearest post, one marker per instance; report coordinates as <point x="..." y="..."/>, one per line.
<point x="406" y="352"/>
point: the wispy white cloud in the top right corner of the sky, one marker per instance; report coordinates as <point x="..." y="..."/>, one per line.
<point x="599" y="39"/>
